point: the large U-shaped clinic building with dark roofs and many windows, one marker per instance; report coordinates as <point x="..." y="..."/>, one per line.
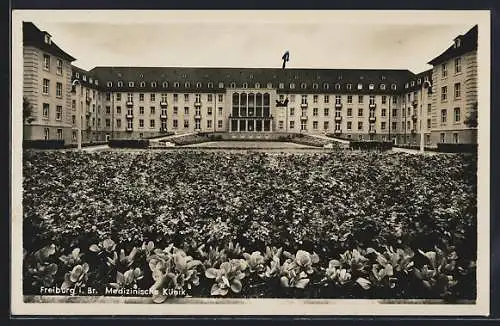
<point x="143" y="102"/>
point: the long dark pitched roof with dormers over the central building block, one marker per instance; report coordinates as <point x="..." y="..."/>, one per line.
<point x="310" y="80"/>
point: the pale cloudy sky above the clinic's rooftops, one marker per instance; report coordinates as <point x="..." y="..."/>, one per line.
<point x="246" y="43"/>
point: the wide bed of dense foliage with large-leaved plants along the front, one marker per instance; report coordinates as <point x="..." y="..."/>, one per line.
<point x="330" y="225"/>
